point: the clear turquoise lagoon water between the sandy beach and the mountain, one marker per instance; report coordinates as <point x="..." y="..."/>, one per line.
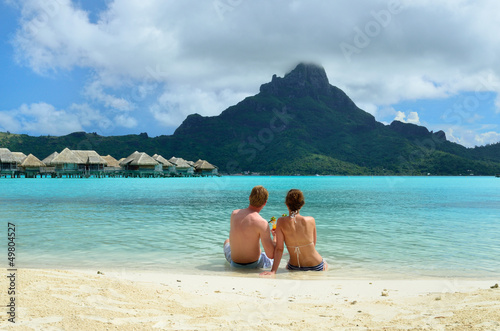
<point x="367" y="226"/>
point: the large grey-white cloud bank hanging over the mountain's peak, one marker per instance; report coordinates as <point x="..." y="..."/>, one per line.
<point x="204" y="56"/>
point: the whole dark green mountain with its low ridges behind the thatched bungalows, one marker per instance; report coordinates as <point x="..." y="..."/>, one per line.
<point x="297" y="124"/>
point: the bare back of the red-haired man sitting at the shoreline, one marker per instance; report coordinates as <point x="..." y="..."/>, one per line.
<point x="246" y="228"/>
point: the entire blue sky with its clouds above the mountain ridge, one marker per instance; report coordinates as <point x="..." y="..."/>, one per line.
<point x="124" y="67"/>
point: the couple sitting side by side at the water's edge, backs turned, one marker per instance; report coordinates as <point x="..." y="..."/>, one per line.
<point x="242" y="249"/>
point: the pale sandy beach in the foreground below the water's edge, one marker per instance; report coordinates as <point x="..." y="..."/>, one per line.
<point x="86" y="300"/>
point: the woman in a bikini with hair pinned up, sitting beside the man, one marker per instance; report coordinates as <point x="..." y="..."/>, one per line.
<point x="298" y="233"/>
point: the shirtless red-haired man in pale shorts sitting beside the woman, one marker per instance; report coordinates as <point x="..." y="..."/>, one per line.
<point x="247" y="227"/>
